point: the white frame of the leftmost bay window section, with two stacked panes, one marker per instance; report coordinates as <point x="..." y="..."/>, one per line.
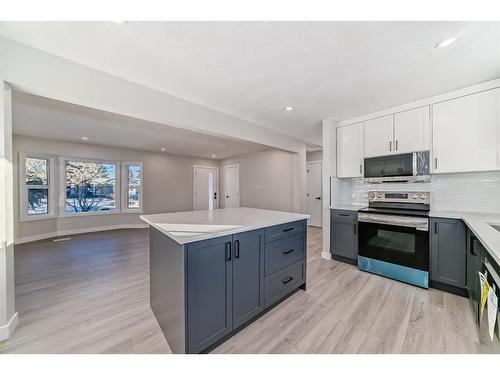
<point x="24" y="188"/>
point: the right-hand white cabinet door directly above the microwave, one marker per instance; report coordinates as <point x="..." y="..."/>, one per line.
<point x="411" y="130"/>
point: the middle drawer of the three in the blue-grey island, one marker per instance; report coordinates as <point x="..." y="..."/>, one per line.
<point x="281" y="253"/>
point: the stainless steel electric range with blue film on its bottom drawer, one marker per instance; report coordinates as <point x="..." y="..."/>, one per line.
<point x="393" y="236"/>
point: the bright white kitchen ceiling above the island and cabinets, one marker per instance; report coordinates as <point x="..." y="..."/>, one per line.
<point x="253" y="70"/>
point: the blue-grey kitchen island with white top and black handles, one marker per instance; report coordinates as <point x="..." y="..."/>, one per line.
<point x="213" y="272"/>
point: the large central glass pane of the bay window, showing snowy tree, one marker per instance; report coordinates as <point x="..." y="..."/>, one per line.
<point x="90" y="186"/>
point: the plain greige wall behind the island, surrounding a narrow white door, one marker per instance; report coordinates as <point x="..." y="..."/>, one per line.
<point x="266" y="180"/>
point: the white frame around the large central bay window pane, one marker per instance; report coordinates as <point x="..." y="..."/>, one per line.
<point x="62" y="187"/>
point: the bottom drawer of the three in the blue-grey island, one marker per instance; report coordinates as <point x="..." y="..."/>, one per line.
<point x="284" y="281"/>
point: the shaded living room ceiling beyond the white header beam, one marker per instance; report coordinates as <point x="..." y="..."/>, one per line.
<point x="46" y="118"/>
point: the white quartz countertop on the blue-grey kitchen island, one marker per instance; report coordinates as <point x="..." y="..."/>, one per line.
<point x="190" y="226"/>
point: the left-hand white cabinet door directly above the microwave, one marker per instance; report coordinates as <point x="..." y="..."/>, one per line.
<point x="379" y="135"/>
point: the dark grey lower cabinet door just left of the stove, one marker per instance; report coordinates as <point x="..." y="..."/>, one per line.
<point x="344" y="236"/>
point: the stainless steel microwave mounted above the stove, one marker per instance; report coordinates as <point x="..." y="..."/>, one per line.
<point x="411" y="167"/>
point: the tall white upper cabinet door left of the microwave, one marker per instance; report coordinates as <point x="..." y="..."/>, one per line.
<point x="350" y="151"/>
